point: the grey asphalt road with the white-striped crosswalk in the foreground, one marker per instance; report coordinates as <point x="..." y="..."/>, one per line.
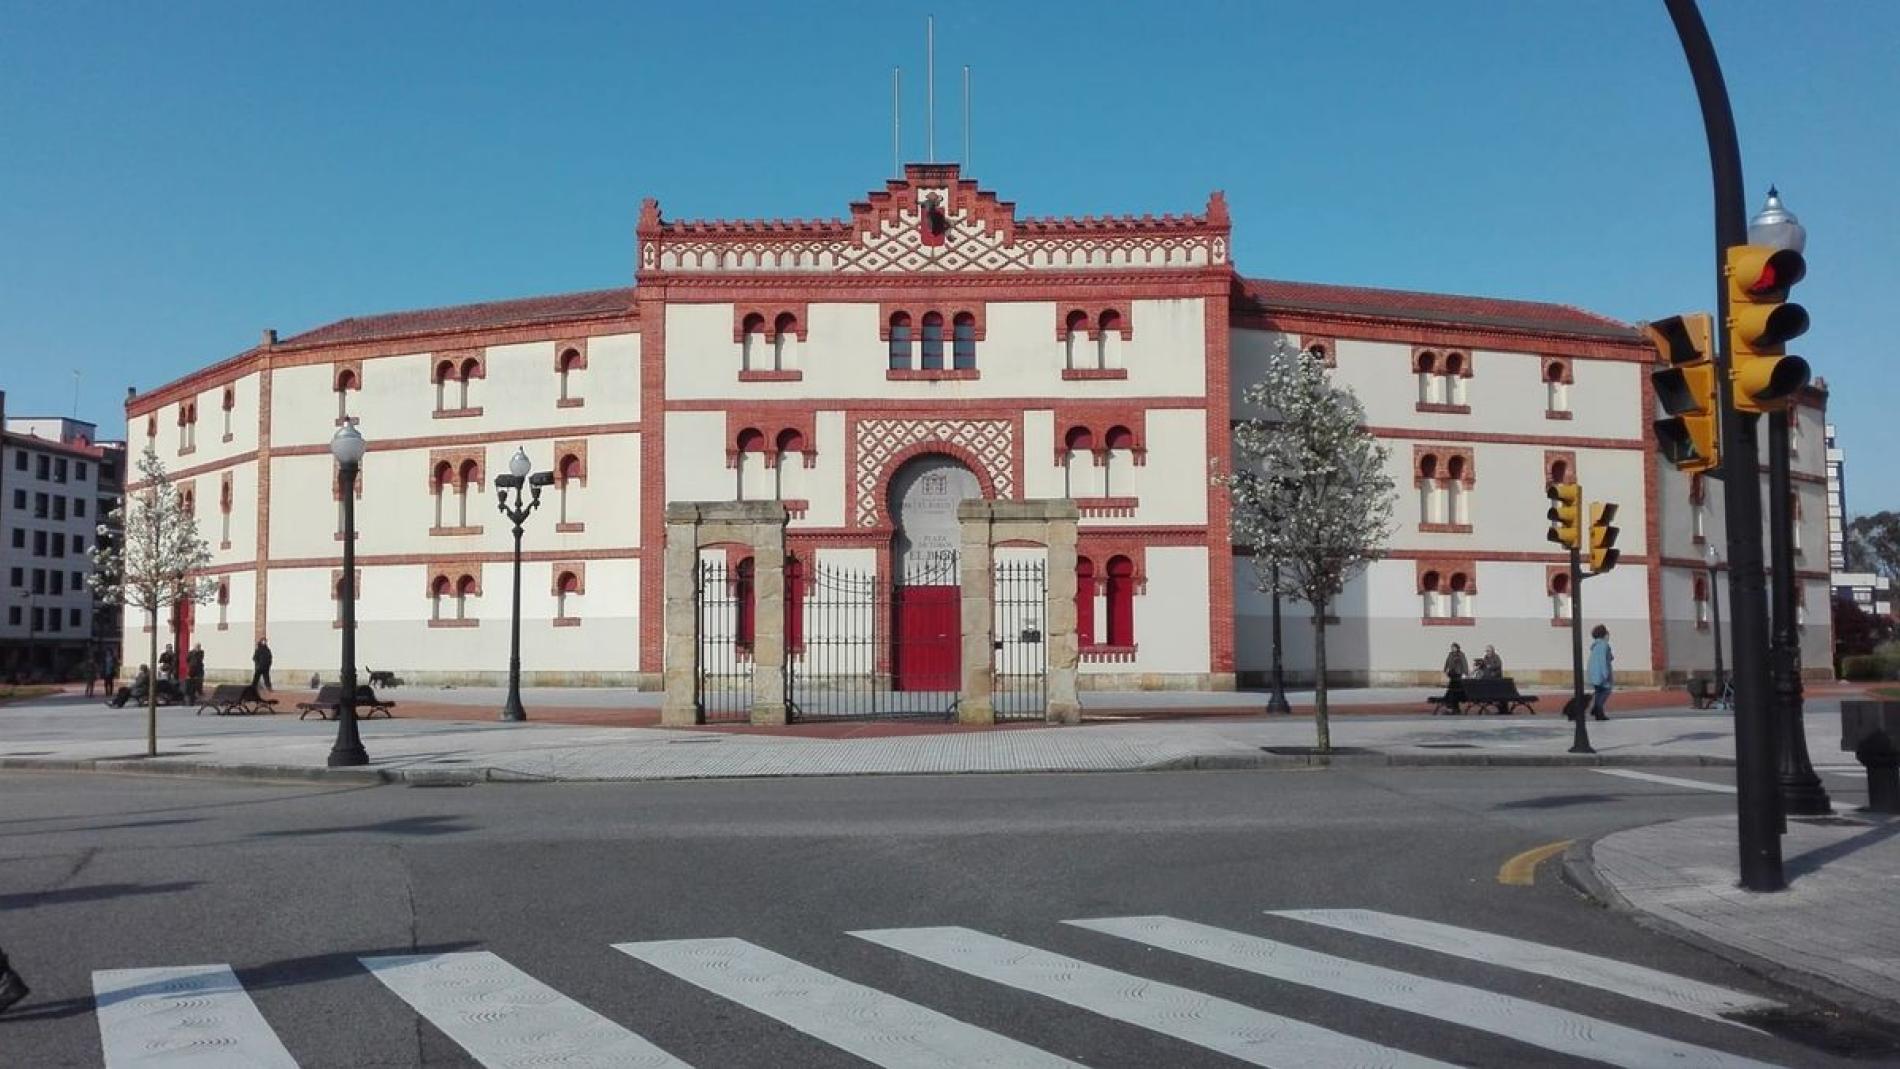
<point x="292" y="886"/>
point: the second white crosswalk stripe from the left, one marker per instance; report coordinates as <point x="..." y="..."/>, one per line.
<point x="506" y="1019"/>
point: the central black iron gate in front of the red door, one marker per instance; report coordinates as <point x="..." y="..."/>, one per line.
<point x="865" y="648"/>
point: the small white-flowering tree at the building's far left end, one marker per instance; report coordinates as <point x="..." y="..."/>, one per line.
<point x="153" y="561"/>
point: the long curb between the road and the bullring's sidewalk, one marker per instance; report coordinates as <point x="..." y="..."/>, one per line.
<point x="1192" y="762"/>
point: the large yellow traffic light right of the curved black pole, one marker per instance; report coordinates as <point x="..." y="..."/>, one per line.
<point x="1762" y="322"/>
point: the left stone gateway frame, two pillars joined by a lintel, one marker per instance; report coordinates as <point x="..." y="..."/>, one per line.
<point x="698" y="525"/>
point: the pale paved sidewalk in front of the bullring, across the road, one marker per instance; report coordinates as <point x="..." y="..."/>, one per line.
<point x="77" y="734"/>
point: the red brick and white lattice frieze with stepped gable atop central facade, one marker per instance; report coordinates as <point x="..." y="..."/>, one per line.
<point x="934" y="221"/>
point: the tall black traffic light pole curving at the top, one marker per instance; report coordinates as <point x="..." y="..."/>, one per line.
<point x="1757" y="783"/>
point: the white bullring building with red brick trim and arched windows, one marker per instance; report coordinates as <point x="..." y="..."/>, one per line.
<point x="871" y="371"/>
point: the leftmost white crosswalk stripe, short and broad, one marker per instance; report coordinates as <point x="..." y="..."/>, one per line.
<point x="191" y="1015"/>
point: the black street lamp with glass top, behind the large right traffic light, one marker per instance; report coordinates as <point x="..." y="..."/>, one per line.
<point x="1800" y="789"/>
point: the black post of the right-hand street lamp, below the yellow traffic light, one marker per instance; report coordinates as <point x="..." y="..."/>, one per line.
<point x="1800" y="787"/>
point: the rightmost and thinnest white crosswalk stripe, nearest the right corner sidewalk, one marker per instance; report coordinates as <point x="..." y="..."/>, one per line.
<point x="1576" y="967"/>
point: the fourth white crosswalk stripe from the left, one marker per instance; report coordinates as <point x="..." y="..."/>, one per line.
<point x="1204" y="1021"/>
